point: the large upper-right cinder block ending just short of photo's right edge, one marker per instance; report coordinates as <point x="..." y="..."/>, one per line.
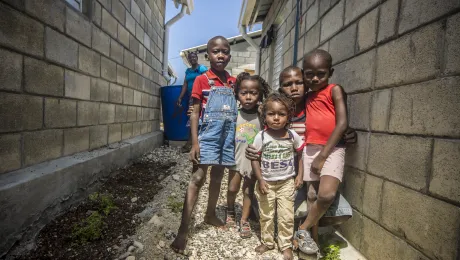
<point x="412" y="57"/>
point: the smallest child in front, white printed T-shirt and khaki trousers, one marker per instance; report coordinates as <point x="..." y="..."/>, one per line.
<point x="275" y="173"/>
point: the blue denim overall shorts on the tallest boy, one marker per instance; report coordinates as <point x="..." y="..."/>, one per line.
<point x="216" y="135"/>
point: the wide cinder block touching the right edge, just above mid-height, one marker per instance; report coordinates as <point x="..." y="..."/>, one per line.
<point x="429" y="108"/>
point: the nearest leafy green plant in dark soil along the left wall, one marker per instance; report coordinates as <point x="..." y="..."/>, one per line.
<point x="88" y="229"/>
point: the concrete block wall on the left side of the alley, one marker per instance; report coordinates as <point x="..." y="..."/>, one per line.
<point x="70" y="82"/>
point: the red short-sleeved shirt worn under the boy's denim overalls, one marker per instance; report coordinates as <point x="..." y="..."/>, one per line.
<point x="201" y="86"/>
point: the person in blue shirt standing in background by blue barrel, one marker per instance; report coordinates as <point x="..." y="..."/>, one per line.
<point x="190" y="75"/>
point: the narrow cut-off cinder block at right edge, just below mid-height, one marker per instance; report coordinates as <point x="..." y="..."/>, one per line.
<point x="445" y="179"/>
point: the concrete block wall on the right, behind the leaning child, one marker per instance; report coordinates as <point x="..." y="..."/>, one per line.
<point x="398" y="60"/>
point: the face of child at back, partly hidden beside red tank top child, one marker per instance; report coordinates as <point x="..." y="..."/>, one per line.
<point x="292" y="85"/>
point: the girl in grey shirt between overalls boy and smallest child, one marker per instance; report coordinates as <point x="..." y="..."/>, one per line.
<point x="250" y="92"/>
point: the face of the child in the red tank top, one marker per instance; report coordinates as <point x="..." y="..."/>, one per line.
<point x="316" y="72"/>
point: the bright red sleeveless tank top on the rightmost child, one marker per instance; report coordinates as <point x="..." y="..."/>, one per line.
<point x="320" y="120"/>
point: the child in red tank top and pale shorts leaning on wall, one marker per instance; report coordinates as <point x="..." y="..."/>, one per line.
<point x="324" y="154"/>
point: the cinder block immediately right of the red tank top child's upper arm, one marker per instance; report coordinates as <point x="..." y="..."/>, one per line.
<point x="359" y="110"/>
